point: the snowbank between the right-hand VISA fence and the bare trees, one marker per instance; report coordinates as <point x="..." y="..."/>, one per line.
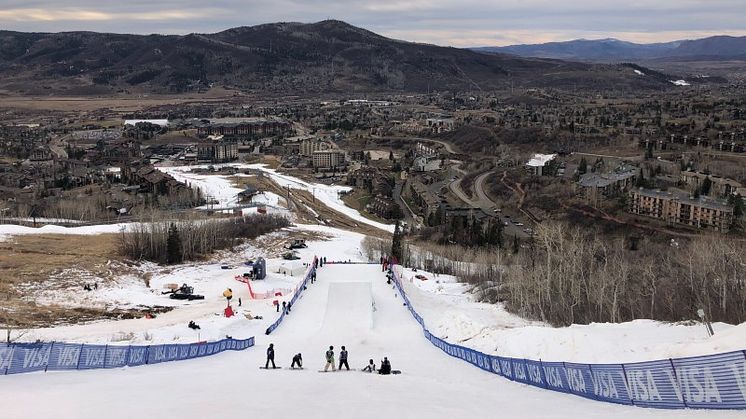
<point x="450" y="313"/>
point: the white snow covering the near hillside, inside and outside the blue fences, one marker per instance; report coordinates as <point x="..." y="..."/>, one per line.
<point x="349" y="305"/>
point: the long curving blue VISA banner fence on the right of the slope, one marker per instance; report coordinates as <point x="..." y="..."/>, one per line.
<point x="704" y="382"/>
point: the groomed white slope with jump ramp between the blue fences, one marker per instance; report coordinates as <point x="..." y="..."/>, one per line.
<point x="348" y="305"/>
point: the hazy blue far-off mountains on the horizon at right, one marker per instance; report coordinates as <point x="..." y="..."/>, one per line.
<point x="714" y="48"/>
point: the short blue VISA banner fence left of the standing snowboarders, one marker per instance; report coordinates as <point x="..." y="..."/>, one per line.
<point x="18" y="358"/>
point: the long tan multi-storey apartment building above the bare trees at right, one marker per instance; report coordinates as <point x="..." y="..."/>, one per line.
<point x="682" y="209"/>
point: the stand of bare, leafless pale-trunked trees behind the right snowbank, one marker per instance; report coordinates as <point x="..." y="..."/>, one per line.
<point x="569" y="275"/>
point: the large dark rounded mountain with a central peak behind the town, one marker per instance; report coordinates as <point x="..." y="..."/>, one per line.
<point x="328" y="56"/>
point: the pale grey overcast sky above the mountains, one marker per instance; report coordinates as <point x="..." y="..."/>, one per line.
<point x="445" y="22"/>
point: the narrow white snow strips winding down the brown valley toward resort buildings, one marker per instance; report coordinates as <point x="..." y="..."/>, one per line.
<point x="220" y="188"/>
